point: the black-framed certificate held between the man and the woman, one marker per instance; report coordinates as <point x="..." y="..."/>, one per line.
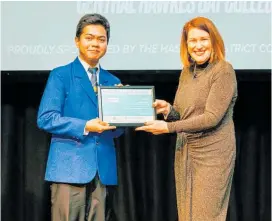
<point x="126" y="105"/>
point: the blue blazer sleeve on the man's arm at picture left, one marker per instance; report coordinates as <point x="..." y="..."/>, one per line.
<point x="50" y="115"/>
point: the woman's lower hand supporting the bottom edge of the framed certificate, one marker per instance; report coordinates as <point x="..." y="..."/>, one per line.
<point x="155" y="127"/>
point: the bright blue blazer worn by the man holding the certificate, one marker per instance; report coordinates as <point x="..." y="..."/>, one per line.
<point x="68" y="102"/>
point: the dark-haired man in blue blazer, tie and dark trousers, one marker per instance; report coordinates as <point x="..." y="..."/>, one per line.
<point x="82" y="157"/>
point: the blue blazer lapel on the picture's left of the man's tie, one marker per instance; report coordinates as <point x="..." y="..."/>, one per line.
<point x="86" y="84"/>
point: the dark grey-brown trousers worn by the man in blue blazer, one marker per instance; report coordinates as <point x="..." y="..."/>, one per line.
<point x="76" y="202"/>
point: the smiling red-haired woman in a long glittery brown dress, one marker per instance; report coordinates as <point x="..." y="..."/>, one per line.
<point x="202" y="118"/>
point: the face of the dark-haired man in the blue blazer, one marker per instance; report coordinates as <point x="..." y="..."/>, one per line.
<point x="92" y="43"/>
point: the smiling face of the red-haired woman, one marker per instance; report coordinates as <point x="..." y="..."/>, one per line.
<point x="199" y="45"/>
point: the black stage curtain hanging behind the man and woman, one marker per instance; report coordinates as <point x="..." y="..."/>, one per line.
<point x="146" y="190"/>
